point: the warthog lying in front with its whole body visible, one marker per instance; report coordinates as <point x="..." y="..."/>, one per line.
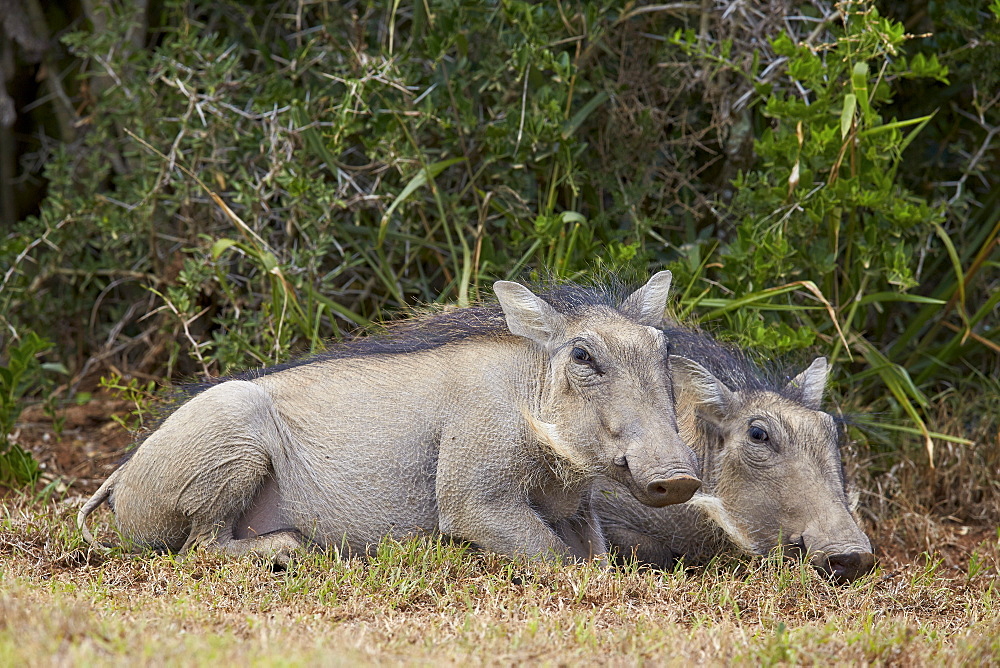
<point x="485" y="424"/>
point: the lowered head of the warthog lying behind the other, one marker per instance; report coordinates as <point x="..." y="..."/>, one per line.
<point x="774" y="476"/>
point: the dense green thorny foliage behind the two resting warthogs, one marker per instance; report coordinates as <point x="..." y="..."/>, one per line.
<point x="195" y="187"/>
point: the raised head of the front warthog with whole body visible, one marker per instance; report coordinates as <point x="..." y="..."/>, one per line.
<point x="606" y="406"/>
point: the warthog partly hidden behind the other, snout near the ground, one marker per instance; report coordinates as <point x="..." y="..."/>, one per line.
<point x="770" y="468"/>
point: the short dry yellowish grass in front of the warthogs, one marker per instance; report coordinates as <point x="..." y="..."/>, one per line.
<point x="428" y="602"/>
